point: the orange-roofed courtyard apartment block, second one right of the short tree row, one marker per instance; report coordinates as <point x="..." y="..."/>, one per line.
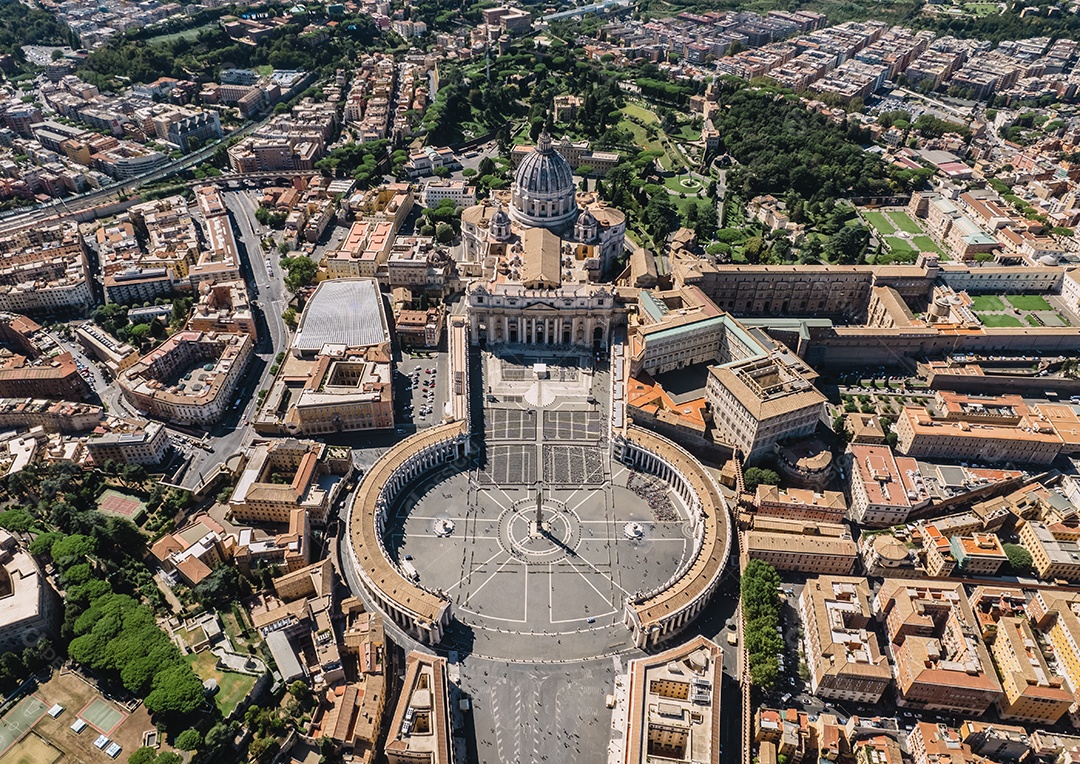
<point x="940" y="663"/>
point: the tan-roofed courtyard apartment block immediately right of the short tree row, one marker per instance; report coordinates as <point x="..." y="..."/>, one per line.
<point x="842" y="649"/>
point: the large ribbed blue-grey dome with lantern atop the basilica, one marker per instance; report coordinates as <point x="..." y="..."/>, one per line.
<point x="544" y="192"/>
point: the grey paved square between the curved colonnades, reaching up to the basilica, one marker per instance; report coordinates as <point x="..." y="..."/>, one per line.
<point x="523" y="591"/>
